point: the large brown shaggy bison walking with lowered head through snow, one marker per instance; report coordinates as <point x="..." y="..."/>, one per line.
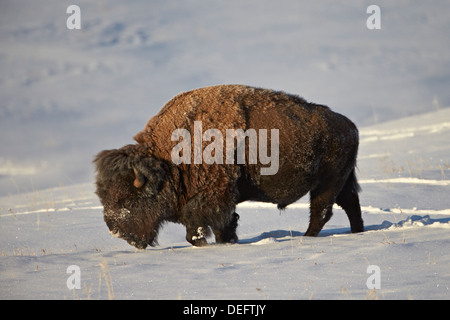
<point x="167" y="176"/>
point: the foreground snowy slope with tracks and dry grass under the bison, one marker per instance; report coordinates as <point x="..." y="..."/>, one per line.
<point x="405" y="175"/>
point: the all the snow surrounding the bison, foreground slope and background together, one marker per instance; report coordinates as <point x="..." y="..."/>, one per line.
<point x="67" y="94"/>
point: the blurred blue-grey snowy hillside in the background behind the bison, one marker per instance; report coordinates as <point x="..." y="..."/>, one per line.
<point x="66" y="94"/>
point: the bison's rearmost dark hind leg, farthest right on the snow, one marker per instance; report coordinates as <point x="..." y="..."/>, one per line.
<point x="349" y="201"/>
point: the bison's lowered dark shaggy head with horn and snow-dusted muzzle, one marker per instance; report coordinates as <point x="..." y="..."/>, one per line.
<point x="129" y="185"/>
